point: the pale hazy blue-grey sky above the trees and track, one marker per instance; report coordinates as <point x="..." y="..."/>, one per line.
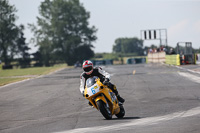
<point x="127" y="18"/>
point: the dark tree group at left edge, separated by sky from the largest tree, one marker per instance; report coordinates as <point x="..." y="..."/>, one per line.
<point x="12" y="41"/>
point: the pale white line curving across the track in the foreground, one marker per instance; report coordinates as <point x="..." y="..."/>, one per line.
<point x="139" y="122"/>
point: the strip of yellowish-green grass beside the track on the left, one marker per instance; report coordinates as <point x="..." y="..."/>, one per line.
<point x="8" y="76"/>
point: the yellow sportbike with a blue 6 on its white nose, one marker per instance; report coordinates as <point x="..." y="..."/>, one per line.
<point x="103" y="99"/>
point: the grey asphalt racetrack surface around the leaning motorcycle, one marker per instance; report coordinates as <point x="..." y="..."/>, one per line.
<point x="159" y="99"/>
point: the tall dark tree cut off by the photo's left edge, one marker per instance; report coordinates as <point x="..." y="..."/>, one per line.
<point x="8" y="31"/>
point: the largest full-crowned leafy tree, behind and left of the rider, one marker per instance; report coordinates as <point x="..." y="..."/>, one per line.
<point x="63" y="28"/>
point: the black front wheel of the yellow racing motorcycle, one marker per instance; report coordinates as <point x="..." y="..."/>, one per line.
<point x="104" y="109"/>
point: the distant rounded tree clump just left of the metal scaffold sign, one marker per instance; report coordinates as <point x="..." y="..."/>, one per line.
<point x="128" y="45"/>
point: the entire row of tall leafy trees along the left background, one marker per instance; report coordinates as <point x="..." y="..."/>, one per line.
<point x="62" y="34"/>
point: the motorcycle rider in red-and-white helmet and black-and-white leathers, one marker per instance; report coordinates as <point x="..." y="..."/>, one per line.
<point x="89" y="71"/>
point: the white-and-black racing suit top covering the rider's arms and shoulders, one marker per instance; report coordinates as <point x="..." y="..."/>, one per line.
<point x="96" y="72"/>
